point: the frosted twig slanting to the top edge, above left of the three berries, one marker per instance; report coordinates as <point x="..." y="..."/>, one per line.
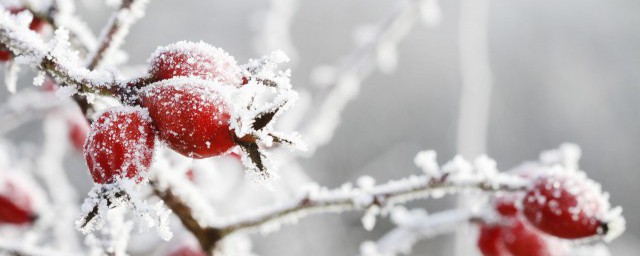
<point x="117" y="29"/>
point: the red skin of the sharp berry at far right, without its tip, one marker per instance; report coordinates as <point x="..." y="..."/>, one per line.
<point x="553" y="215"/>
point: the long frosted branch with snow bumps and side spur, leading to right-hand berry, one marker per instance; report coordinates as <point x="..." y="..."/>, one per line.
<point x="455" y="176"/>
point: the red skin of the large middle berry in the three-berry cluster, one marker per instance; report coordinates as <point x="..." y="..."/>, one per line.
<point x="196" y="125"/>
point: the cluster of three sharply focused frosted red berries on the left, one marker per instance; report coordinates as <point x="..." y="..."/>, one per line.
<point x="181" y="104"/>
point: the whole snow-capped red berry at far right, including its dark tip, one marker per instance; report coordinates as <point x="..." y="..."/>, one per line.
<point x="566" y="204"/>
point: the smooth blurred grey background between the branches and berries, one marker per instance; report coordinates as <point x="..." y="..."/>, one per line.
<point x="563" y="71"/>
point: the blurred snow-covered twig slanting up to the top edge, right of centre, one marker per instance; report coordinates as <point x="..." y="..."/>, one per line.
<point x="378" y="51"/>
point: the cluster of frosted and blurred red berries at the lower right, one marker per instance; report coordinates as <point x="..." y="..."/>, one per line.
<point x="559" y="205"/>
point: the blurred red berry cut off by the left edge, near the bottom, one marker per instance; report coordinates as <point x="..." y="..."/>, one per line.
<point x="15" y="206"/>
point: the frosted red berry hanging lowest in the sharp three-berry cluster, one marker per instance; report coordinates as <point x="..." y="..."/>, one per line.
<point x="120" y="144"/>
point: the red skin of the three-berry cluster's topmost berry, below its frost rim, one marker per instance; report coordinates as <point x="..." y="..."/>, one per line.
<point x="172" y="63"/>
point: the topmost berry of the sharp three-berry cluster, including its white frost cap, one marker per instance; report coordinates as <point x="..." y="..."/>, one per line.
<point x="194" y="59"/>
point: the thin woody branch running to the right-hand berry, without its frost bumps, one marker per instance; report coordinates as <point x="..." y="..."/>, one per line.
<point x="385" y="195"/>
